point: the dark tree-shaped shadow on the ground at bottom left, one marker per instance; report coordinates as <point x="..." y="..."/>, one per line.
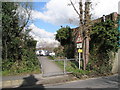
<point x="29" y="82"/>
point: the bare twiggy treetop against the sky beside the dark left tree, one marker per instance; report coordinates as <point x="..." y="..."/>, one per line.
<point x="24" y="13"/>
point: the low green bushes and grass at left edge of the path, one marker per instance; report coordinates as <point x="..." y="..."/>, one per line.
<point x="28" y="64"/>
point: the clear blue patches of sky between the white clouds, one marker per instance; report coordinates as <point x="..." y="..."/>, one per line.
<point x="44" y="24"/>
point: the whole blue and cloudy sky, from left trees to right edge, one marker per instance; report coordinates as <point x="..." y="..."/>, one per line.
<point x="49" y="15"/>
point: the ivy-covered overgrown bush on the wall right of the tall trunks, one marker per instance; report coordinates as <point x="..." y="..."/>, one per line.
<point x="104" y="39"/>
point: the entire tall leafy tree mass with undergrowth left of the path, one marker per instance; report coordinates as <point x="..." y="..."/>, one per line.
<point x="18" y="52"/>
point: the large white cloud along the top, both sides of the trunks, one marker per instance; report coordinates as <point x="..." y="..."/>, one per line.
<point x="58" y="12"/>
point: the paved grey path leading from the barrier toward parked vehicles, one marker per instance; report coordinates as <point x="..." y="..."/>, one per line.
<point x="49" y="67"/>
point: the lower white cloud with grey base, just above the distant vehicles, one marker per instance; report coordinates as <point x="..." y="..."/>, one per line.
<point x="44" y="38"/>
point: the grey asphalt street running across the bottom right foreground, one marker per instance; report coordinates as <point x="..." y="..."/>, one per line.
<point x="105" y="82"/>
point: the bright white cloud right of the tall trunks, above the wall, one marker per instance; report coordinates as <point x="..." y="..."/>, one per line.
<point x="105" y="7"/>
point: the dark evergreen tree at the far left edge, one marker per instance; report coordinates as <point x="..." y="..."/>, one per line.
<point x="8" y="20"/>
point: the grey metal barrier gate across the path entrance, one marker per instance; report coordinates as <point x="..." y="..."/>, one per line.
<point x="58" y="67"/>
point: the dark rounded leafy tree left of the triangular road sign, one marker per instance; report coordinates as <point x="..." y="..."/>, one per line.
<point x="64" y="36"/>
